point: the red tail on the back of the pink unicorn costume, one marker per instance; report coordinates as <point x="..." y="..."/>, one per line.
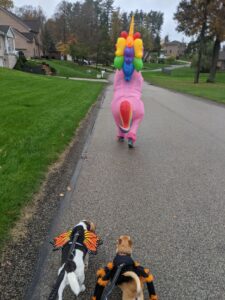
<point x="125" y="116"/>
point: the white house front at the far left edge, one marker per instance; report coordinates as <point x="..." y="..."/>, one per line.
<point x="7" y="47"/>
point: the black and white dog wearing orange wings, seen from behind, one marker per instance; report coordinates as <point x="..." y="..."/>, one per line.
<point x="75" y="261"/>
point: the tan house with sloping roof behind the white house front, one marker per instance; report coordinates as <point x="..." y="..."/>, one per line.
<point x="27" y="33"/>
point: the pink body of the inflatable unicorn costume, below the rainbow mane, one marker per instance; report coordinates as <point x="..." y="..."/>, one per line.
<point x="127" y="106"/>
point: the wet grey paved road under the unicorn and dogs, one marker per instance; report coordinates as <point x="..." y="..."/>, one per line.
<point x="168" y="194"/>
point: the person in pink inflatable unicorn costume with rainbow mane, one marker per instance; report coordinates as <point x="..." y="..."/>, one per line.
<point x="127" y="106"/>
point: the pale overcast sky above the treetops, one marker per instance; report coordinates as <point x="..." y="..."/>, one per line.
<point x="168" y="7"/>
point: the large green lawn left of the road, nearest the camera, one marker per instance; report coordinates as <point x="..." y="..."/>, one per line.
<point x="38" y="118"/>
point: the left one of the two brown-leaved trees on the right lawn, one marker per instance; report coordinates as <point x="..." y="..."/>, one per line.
<point x="192" y="17"/>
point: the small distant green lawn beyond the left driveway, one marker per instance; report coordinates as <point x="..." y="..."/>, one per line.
<point x="70" y="69"/>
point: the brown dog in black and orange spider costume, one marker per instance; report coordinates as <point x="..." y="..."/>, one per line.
<point x="125" y="273"/>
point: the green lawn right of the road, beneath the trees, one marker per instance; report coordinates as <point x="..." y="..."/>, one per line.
<point x="181" y="80"/>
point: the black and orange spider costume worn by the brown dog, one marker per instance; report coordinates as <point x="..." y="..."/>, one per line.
<point x="106" y="275"/>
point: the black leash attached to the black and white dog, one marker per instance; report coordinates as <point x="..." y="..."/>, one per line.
<point x="54" y="293"/>
